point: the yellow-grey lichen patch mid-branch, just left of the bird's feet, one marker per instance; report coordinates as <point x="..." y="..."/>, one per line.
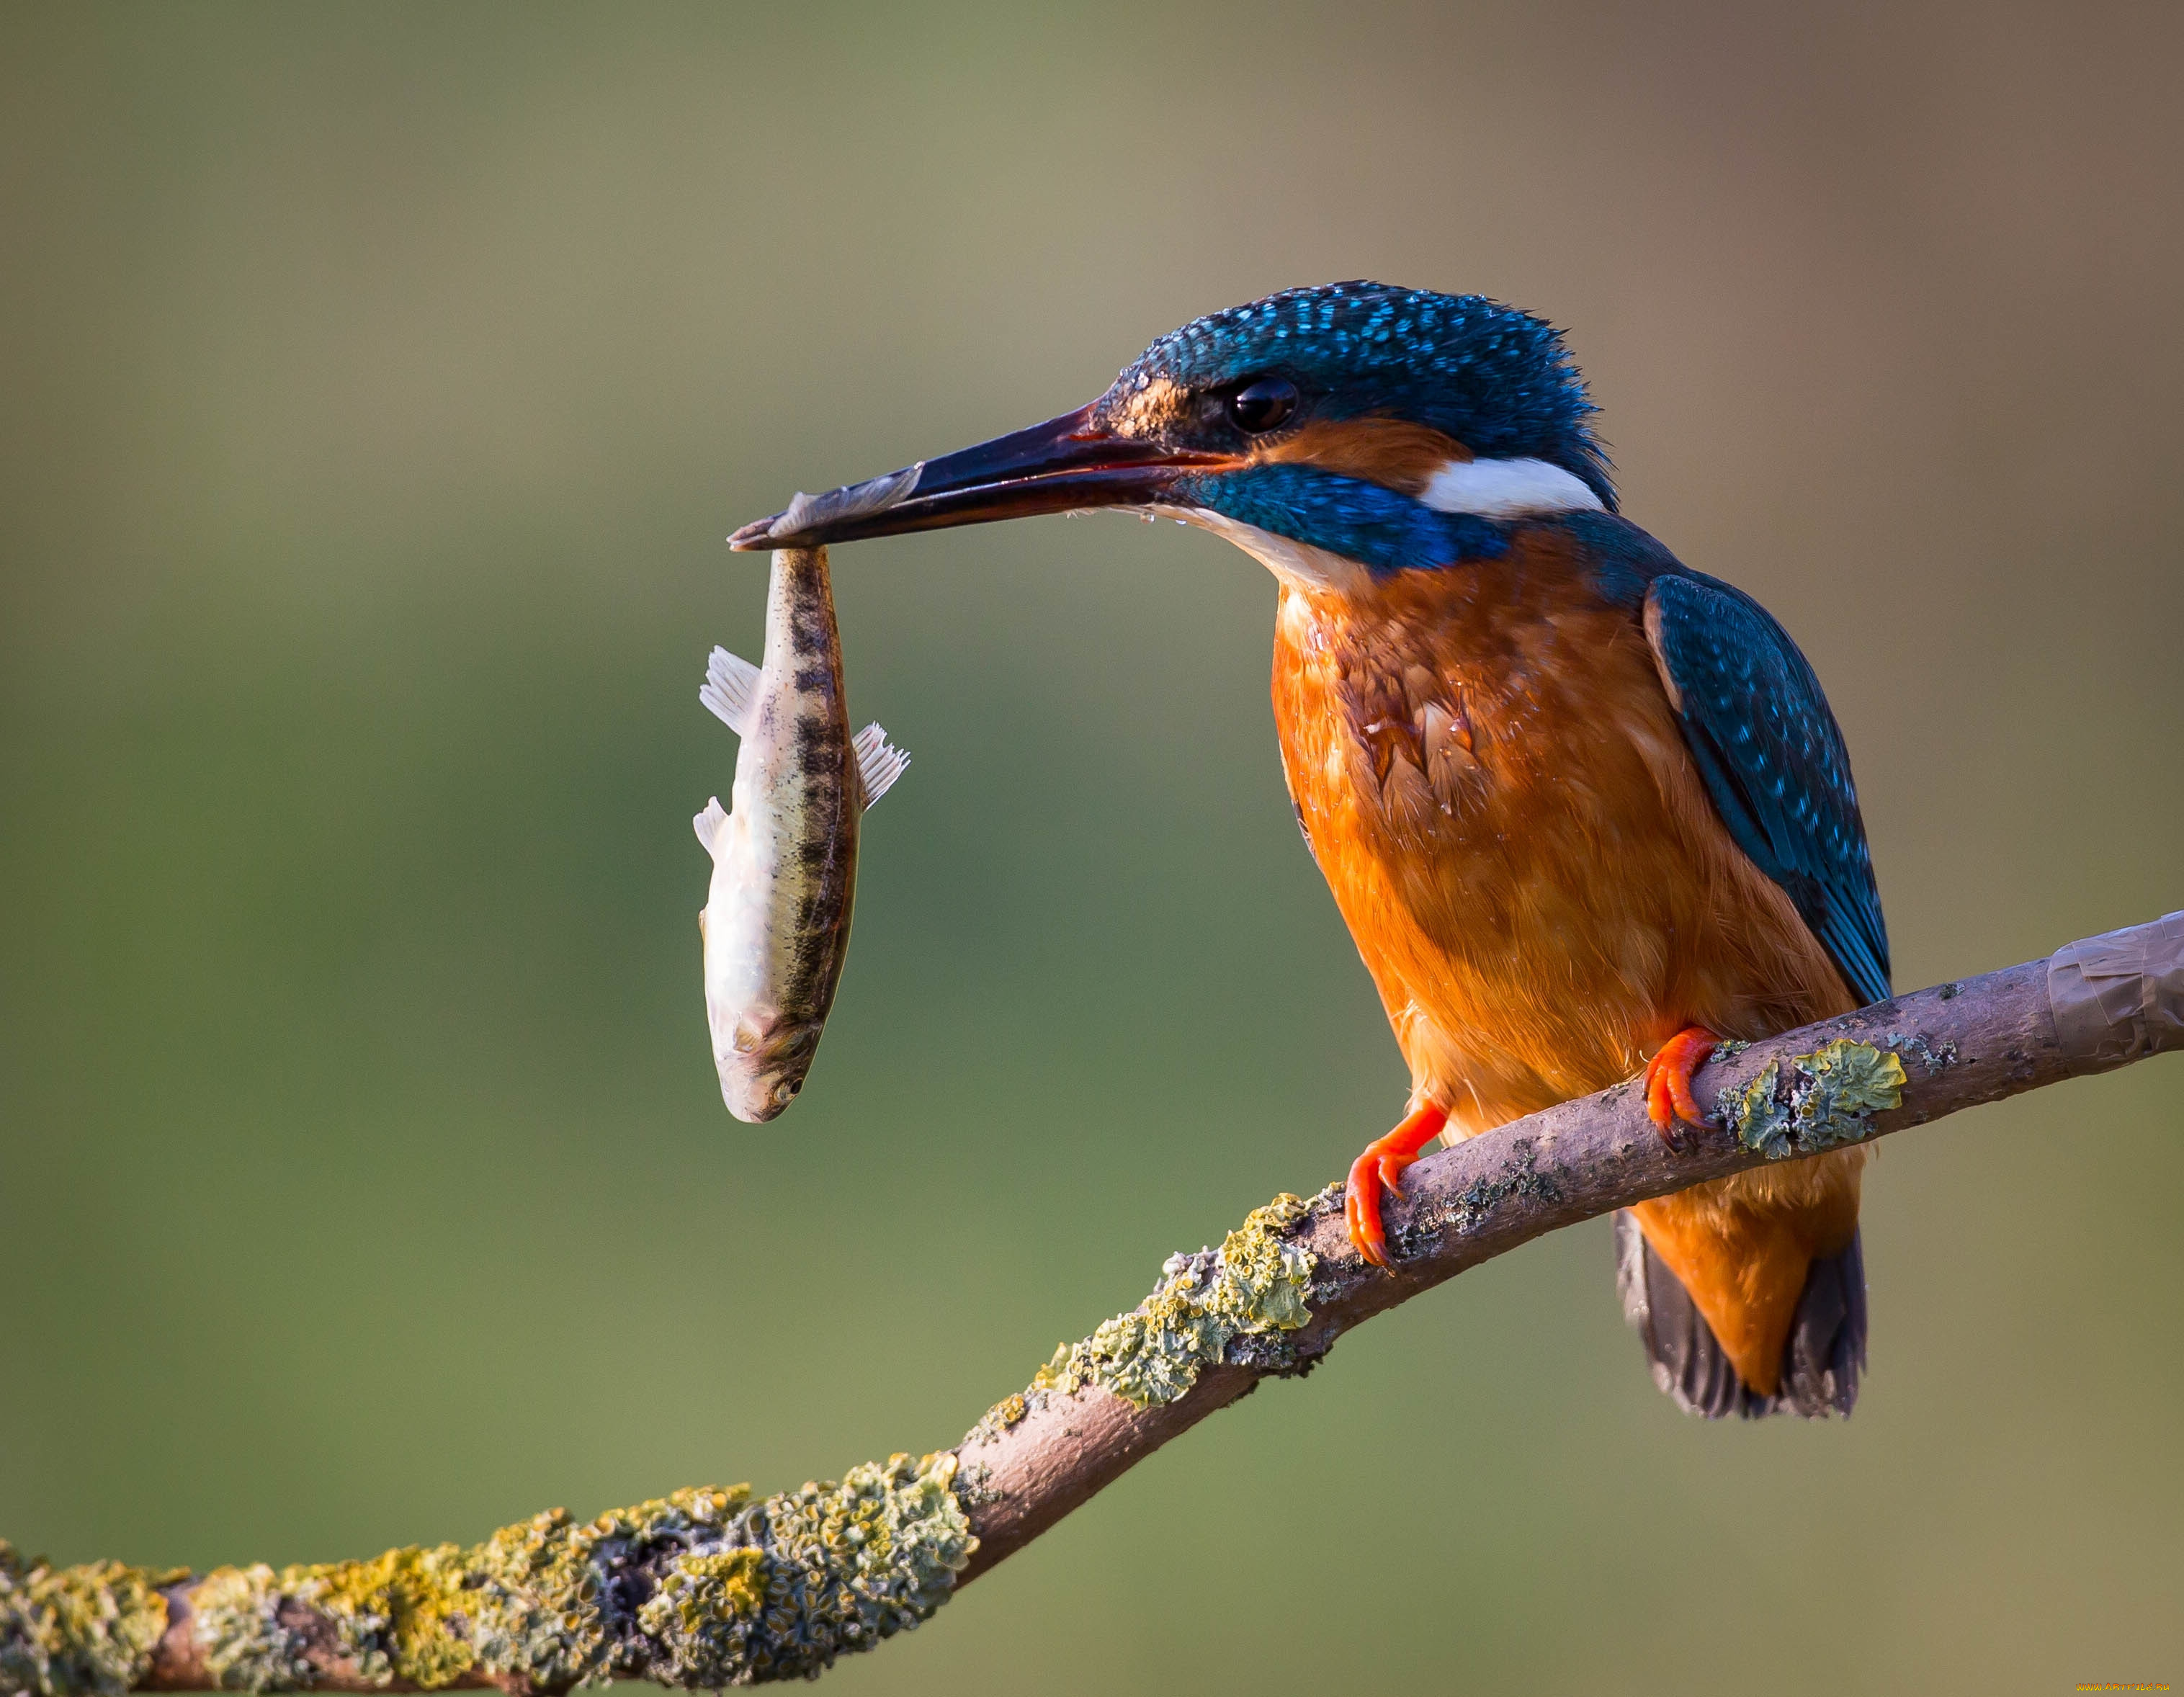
<point x="1253" y="1287"/>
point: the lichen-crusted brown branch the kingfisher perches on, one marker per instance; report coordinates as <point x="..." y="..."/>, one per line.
<point x="711" y="1589"/>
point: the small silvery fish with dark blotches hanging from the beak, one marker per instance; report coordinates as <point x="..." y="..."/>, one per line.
<point x="776" y="921"/>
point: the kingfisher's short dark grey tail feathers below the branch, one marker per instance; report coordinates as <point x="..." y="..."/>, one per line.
<point x="1820" y="1362"/>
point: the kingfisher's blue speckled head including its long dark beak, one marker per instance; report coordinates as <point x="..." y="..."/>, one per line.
<point x="1388" y="427"/>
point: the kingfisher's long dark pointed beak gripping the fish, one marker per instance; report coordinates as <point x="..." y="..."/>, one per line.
<point x="1060" y="466"/>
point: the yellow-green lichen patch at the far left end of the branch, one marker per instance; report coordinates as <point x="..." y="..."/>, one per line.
<point x="78" y="1630"/>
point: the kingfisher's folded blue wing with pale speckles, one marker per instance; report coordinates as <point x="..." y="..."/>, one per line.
<point x="1774" y="761"/>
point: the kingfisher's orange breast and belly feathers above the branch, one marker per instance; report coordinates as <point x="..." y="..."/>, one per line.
<point x="1497" y="792"/>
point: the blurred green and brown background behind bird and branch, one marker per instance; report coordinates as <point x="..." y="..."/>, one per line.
<point x="377" y="388"/>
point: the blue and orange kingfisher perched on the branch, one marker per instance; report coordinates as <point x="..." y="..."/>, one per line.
<point x="1587" y="811"/>
